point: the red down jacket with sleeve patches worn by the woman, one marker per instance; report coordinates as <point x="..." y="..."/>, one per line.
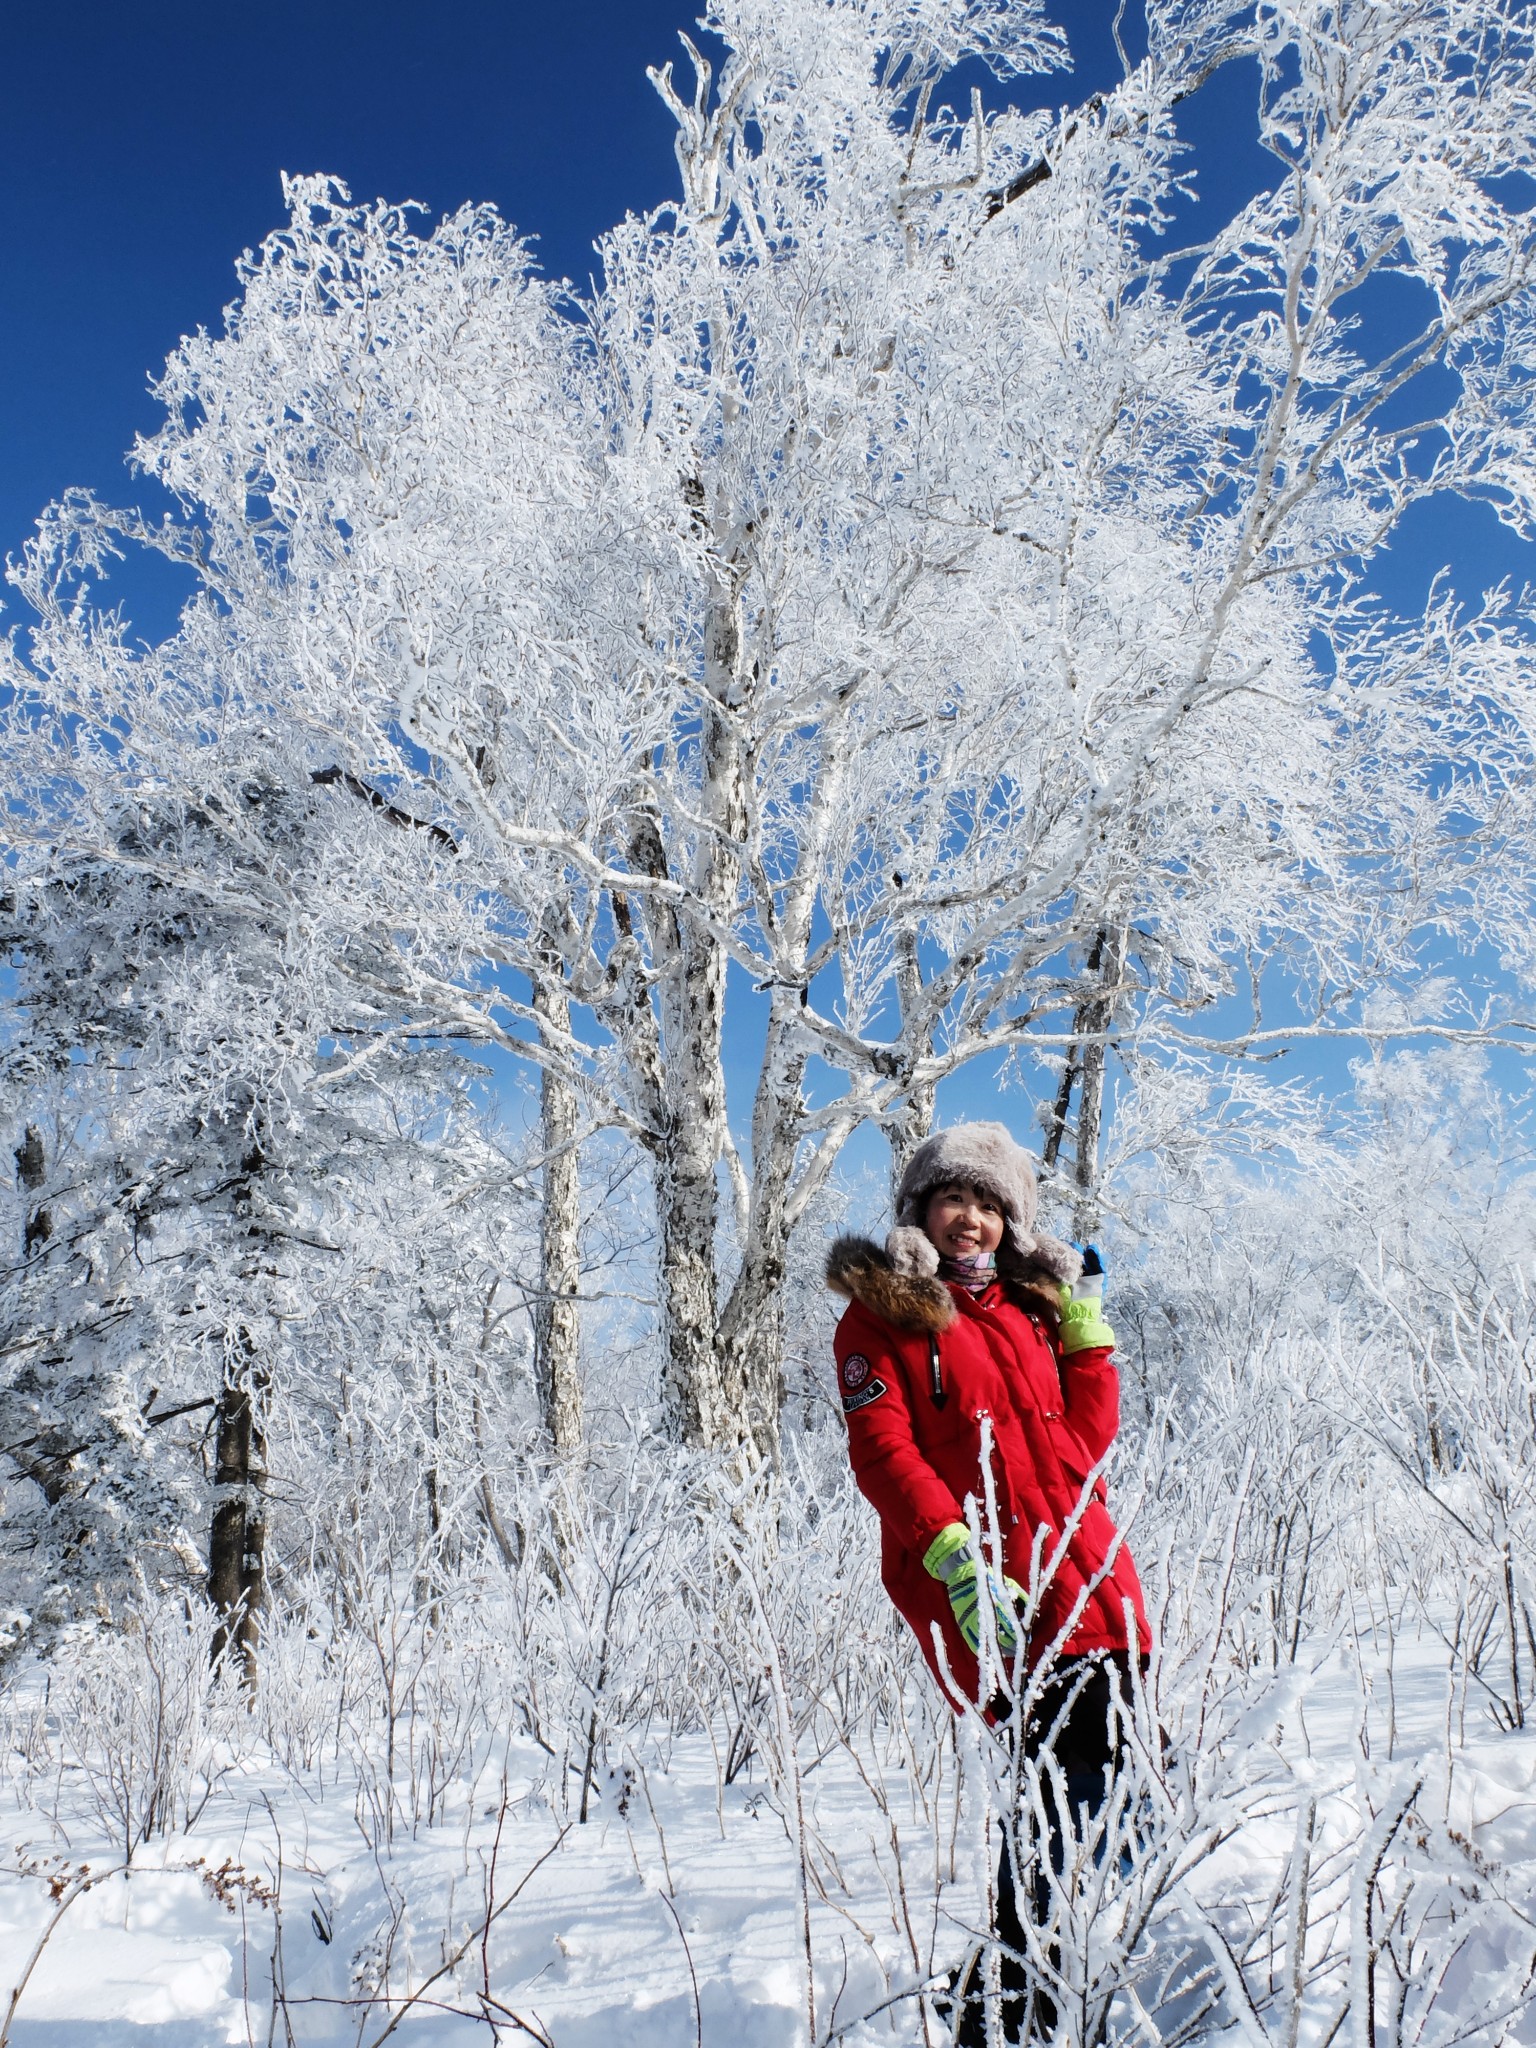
<point x="916" y="1461"/>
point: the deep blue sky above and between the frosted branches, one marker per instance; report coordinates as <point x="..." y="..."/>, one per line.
<point x="142" y="151"/>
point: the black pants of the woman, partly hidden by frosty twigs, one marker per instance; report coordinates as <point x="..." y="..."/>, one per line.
<point x="1070" y="1721"/>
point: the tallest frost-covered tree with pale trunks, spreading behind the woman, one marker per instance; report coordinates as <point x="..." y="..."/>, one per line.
<point x="919" y="597"/>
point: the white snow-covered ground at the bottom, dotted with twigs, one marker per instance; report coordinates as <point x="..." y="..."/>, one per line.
<point x="675" y="1912"/>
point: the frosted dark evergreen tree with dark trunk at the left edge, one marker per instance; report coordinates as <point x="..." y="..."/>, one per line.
<point x="220" y="1220"/>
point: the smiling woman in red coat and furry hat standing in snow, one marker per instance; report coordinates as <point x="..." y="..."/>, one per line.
<point x="970" y="1316"/>
